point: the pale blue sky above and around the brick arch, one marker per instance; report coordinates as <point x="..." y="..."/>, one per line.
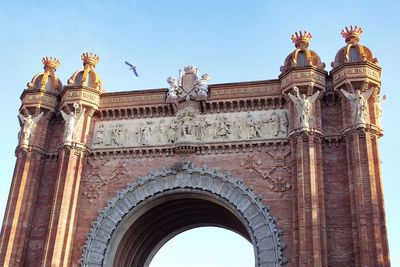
<point x="230" y="40"/>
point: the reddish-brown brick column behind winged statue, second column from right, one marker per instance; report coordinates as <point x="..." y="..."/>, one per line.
<point x="309" y="231"/>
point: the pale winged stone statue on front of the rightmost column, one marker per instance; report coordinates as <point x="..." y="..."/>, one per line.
<point x="359" y="104"/>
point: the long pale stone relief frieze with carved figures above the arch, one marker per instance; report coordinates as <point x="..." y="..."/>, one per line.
<point x="189" y="126"/>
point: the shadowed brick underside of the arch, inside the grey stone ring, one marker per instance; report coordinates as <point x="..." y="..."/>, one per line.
<point x="172" y="213"/>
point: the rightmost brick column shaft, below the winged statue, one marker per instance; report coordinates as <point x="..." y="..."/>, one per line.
<point x="365" y="185"/>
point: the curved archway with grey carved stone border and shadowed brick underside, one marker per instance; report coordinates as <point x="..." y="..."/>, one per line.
<point x="170" y="201"/>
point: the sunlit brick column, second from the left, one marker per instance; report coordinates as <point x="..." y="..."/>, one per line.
<point x="63" y="218"/>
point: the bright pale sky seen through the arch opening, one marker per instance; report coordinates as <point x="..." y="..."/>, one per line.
<point x="205" y="246"/>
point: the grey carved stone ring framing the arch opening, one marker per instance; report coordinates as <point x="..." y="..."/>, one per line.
<point x="264" y="233"/>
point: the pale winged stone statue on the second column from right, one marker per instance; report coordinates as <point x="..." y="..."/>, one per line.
<point x="303" y="105"/>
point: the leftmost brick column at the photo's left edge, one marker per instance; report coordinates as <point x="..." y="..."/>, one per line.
<point x="20" y="206"/>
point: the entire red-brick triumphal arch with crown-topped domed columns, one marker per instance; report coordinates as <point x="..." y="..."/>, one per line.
<point x="291" y="164"/>
